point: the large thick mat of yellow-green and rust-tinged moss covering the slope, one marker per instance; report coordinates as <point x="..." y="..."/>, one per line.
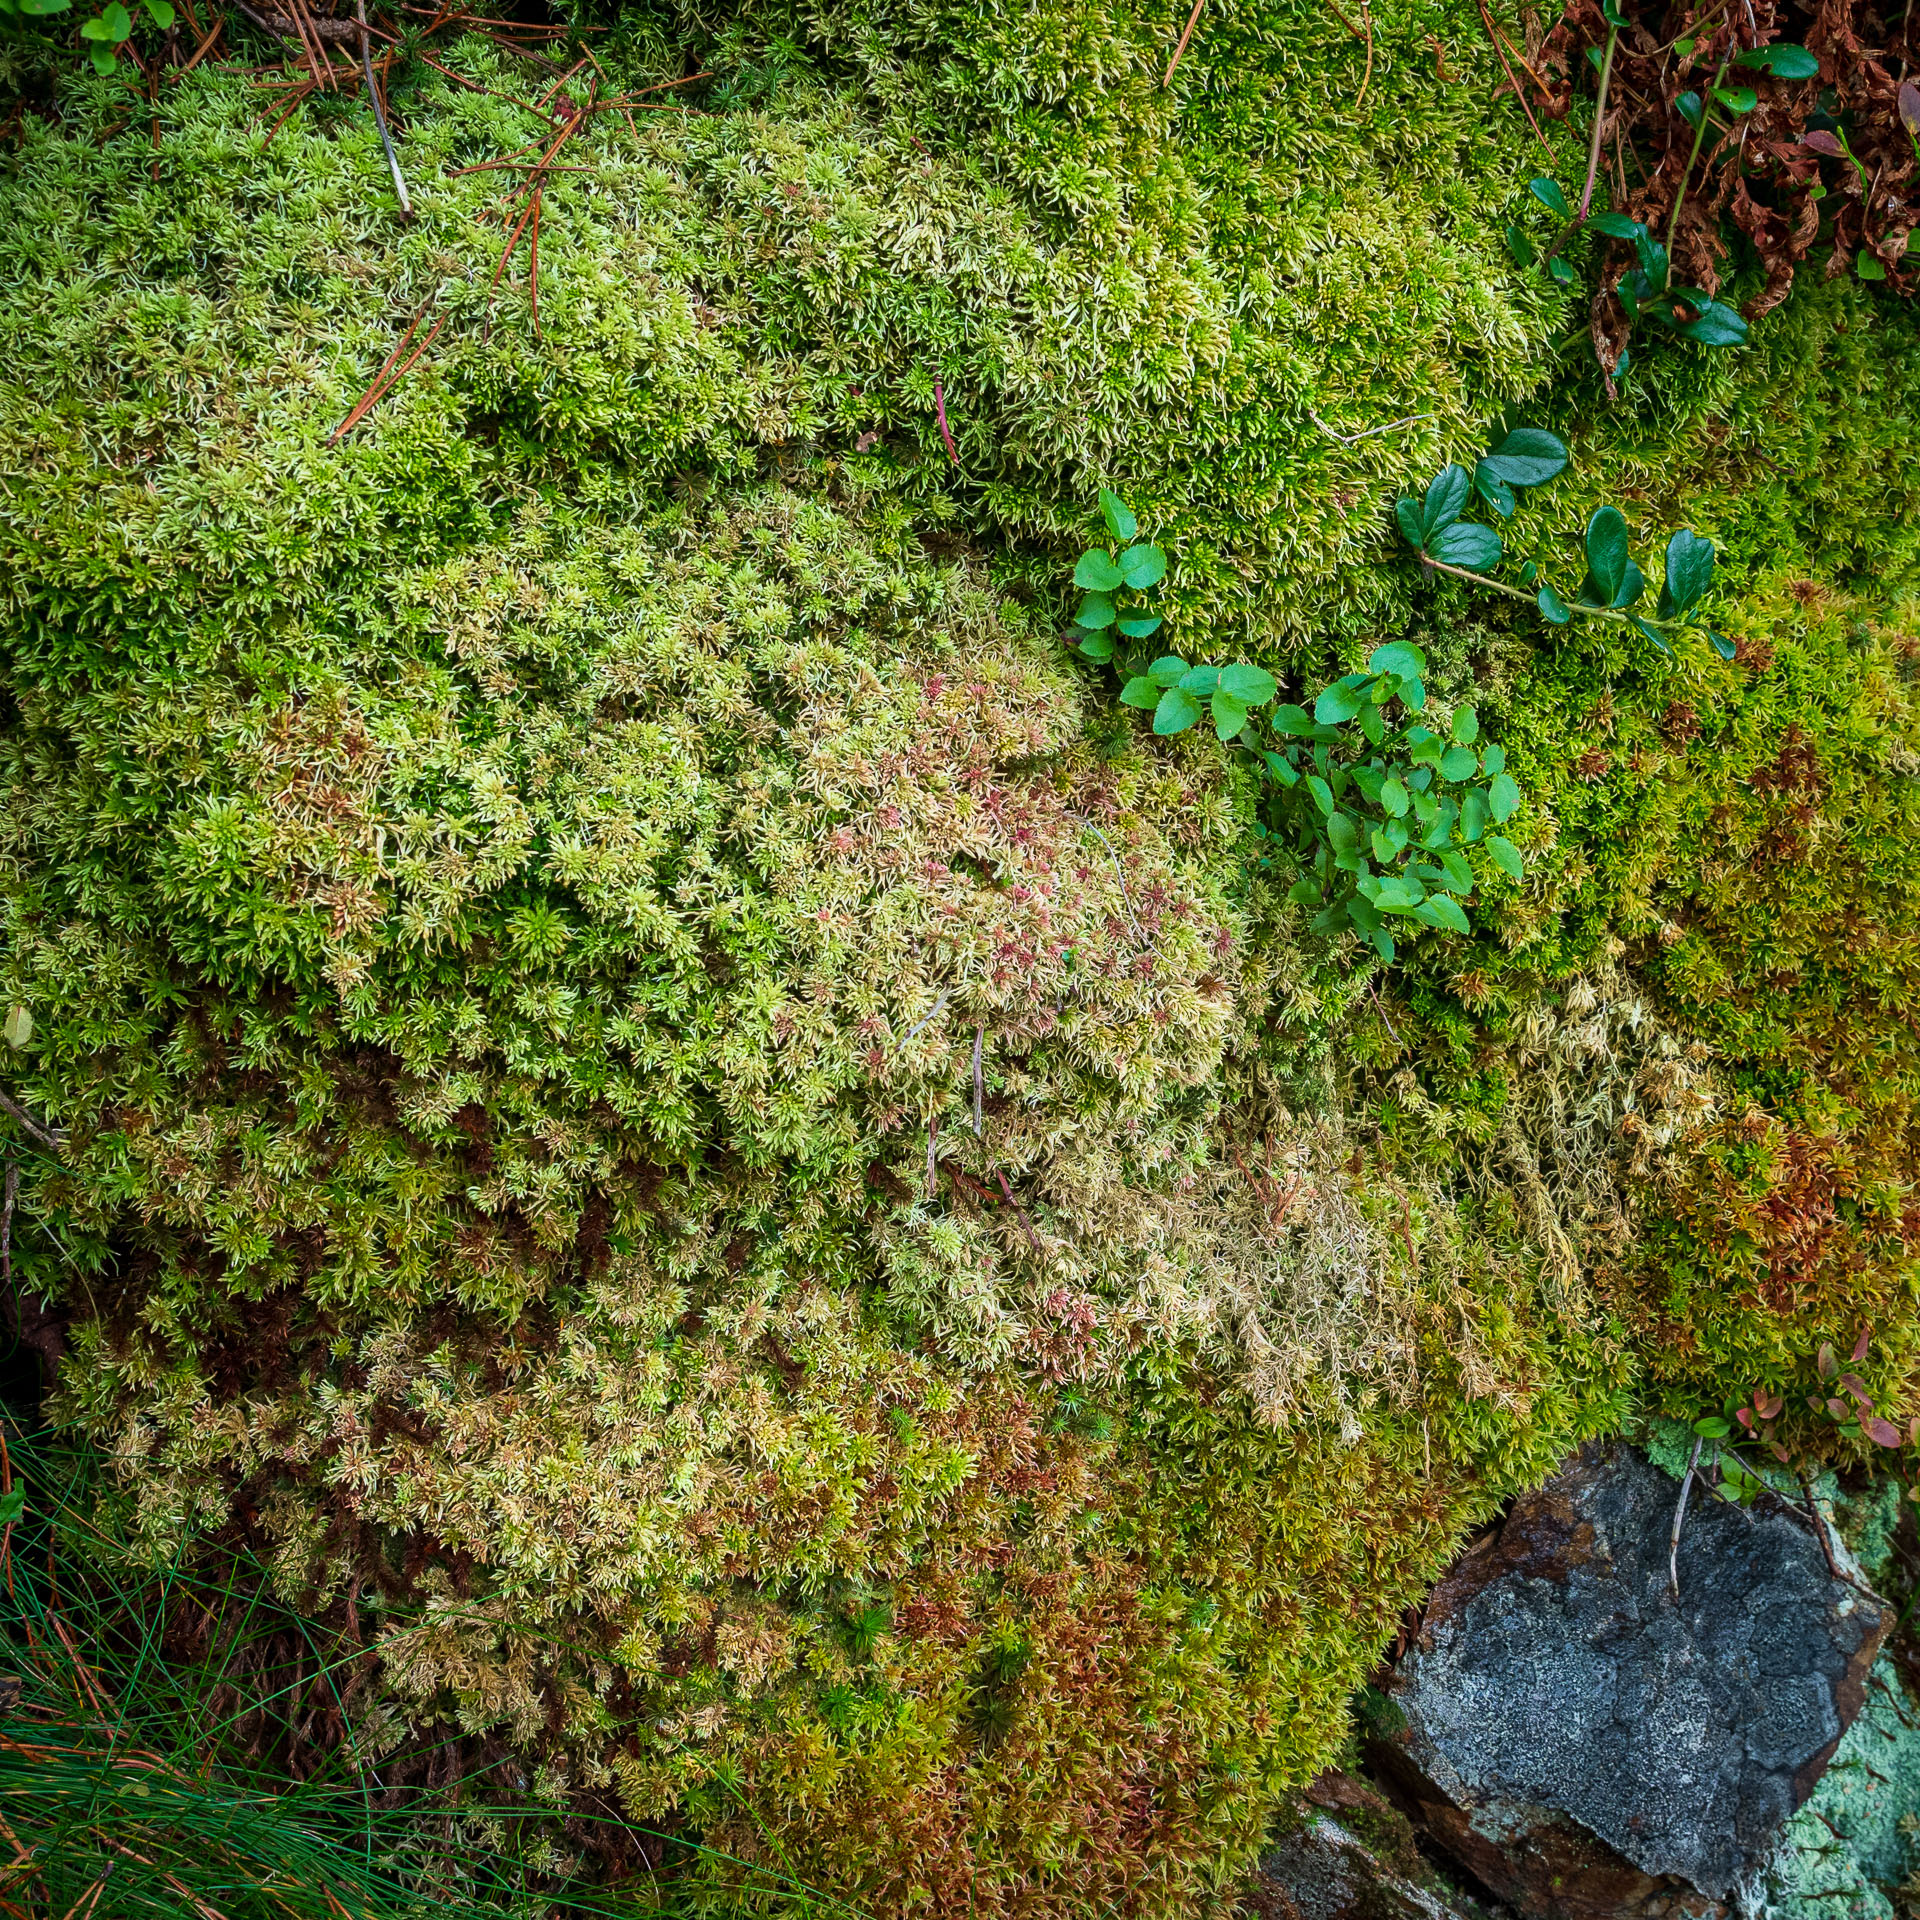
<point x="809" y="1218"/>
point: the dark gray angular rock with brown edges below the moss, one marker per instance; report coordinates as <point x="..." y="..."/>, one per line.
<point x="1583" y="1742"/>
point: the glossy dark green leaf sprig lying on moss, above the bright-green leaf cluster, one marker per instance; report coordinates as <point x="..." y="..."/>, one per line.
<point x="1614" y="585"/>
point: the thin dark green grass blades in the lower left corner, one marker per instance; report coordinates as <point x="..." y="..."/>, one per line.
<point x="233" y="1773"/>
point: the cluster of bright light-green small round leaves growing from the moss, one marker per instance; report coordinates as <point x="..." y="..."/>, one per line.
<point x="1368" y="807"/>
